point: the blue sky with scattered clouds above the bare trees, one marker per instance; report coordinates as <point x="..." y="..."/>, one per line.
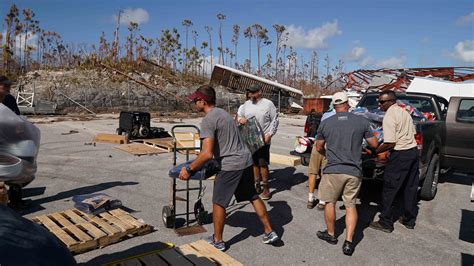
<point x="364" y="34"/>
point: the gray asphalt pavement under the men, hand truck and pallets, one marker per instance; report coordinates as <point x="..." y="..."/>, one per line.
<point x="68" y="166"/>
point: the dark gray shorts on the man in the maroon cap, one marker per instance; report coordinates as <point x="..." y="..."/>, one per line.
<point x="238" y="183"/>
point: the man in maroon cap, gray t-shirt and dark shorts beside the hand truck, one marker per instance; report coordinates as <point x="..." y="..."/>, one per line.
<point x="221" y="139"/>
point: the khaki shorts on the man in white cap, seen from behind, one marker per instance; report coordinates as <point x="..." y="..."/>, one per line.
<point x="333" y="185"/>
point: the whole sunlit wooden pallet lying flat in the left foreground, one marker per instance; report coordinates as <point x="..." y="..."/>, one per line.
<point x="81" y="232"/>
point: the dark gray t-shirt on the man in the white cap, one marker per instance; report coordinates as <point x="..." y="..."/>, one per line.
<point x="344" y="133"/>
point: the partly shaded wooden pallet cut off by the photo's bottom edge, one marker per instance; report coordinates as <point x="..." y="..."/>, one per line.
<point x="196" y="253"/>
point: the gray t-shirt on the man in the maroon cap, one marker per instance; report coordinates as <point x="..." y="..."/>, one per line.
<point x="229" y="147"/>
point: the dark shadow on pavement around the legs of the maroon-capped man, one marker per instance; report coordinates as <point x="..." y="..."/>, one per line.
<point x="280" y="215"/>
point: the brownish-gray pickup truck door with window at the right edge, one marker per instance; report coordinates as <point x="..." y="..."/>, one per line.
<point x="459" y="145"/>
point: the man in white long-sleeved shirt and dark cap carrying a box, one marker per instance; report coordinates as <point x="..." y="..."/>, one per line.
<point x="266" y="115"/>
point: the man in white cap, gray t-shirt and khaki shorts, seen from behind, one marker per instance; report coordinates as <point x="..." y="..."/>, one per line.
<point x="340" y="137"/>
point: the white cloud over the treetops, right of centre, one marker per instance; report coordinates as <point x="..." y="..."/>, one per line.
<point x="315" y="38"/>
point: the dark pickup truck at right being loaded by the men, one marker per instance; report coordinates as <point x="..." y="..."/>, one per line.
<point x="443" y="142"/>
